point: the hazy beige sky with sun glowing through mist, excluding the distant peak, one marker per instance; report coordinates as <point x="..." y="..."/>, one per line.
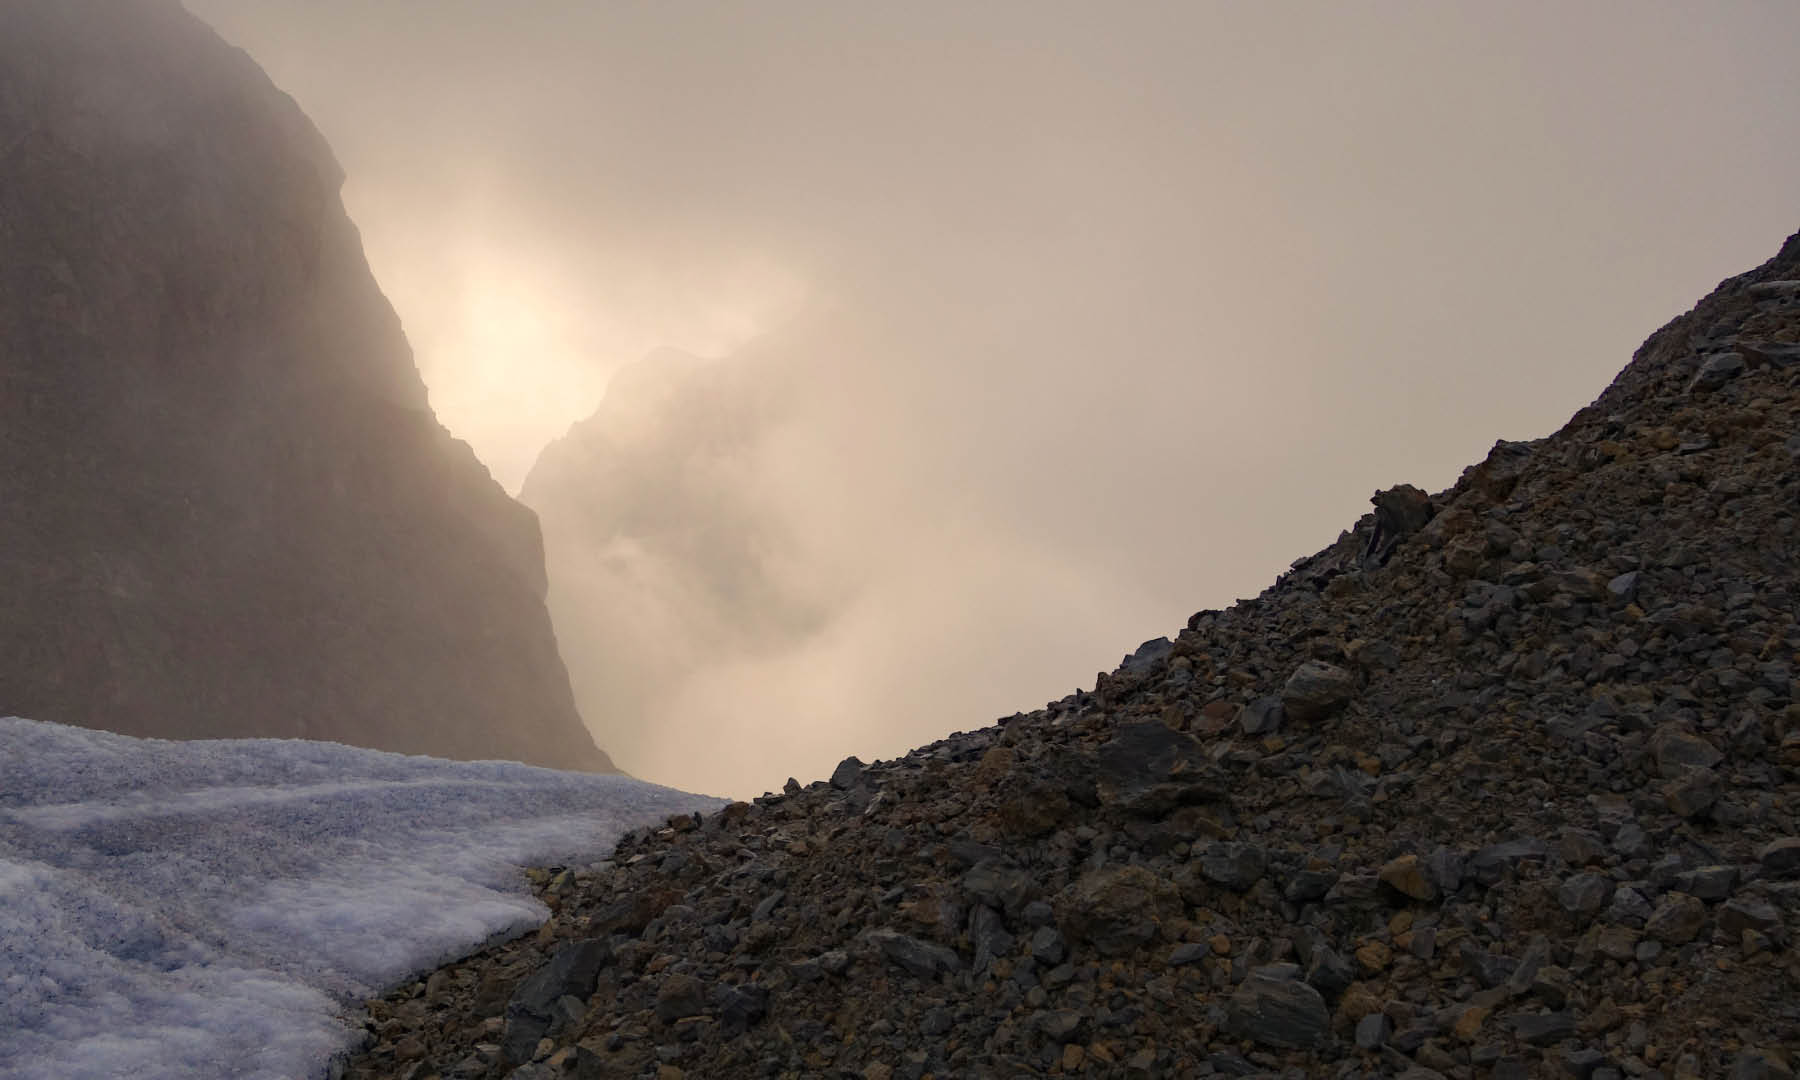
<point x="1124" y="307"/>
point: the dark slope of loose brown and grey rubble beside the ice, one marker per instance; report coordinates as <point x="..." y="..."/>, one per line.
<point x="1504" y="784"/>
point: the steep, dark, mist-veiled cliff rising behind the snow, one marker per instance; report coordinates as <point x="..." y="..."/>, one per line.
<point x="228" y="507"/>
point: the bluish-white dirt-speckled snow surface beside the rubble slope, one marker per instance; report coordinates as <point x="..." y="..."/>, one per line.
<point x="219" y="908"/>
